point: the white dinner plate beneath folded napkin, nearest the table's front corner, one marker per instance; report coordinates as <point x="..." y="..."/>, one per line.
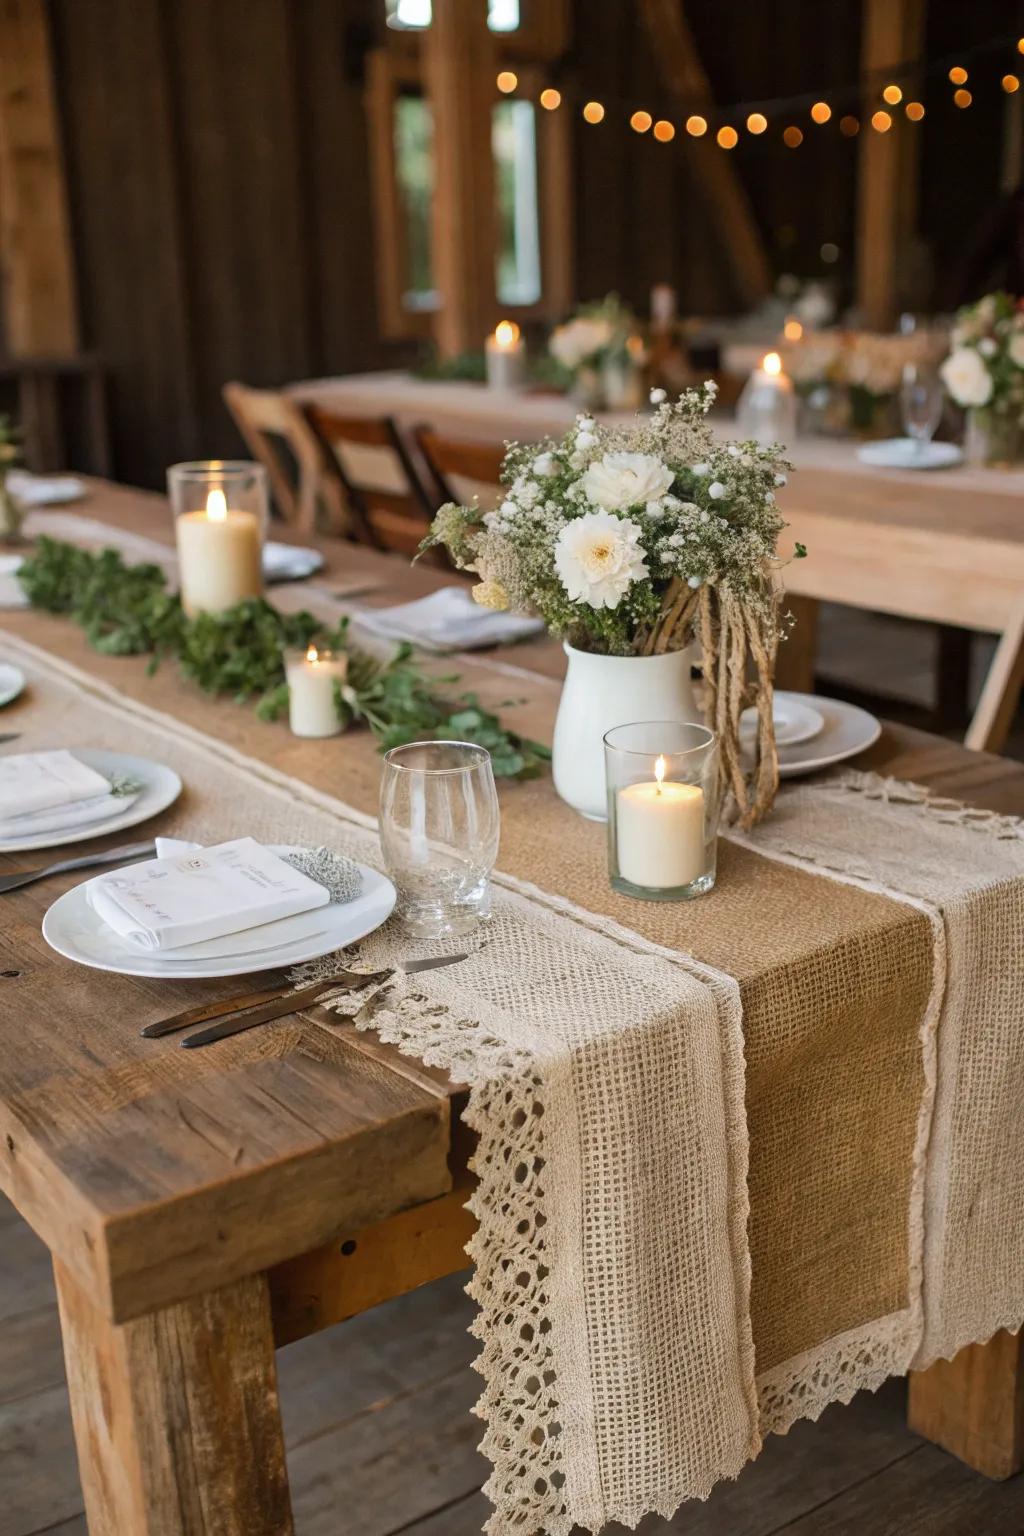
<point x="74" y="932"/>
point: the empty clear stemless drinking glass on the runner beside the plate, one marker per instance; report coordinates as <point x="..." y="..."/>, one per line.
<point x="440" y="827"/>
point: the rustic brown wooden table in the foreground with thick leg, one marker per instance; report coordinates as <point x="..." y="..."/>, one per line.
<point x="206" y="1210"/>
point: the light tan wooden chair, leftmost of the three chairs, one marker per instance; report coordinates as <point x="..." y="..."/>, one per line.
<point x="277" y="435"/>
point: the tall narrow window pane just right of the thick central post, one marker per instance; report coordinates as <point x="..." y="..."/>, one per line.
<point x="518" y="259"/>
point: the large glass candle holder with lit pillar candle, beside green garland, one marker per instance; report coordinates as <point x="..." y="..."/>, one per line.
<point x="220" y="511"/>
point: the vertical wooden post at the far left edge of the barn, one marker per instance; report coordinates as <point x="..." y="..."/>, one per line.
<point x="36" y="259"/>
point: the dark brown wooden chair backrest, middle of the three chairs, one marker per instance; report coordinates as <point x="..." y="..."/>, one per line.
<point x="388" y="502"/>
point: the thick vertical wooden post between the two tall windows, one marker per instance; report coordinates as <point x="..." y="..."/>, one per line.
<point x="460" y="68"/>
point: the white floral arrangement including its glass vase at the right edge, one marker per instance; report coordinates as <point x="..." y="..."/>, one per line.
<point x="985" y="374"/>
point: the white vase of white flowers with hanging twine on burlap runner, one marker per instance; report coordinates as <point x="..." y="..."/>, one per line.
<point x="632" y="543"/>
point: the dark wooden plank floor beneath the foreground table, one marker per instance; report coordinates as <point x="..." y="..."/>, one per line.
<point x="382" y="1438"/>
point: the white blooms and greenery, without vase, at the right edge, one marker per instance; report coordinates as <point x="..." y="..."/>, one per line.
<point x="986" y="366"/>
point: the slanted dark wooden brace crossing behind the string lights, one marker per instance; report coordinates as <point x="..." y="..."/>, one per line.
<point x="728" y="208"/>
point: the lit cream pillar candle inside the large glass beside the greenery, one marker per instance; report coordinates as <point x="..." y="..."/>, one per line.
<point x="219" y="557"/>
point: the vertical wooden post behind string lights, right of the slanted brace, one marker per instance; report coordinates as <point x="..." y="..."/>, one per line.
<point x="887" y="211"/>
